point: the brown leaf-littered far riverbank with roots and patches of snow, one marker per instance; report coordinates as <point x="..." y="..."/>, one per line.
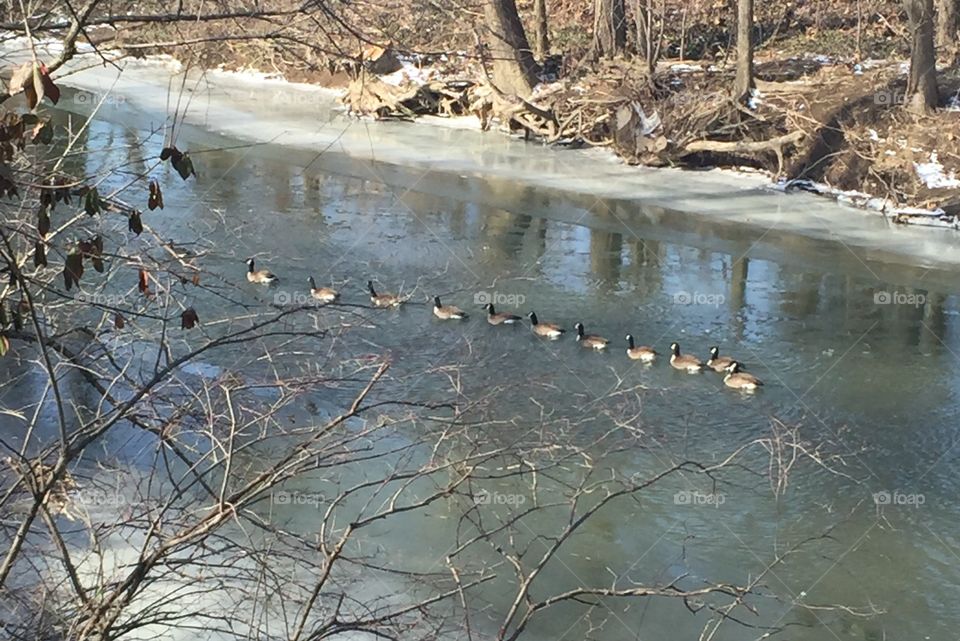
<point x="827" y="115"/>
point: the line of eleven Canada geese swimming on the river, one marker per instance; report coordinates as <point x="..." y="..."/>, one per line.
<point x="733" y="377"/>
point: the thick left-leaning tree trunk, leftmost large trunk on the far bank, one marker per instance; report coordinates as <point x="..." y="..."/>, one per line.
<point x="514" y="69"/>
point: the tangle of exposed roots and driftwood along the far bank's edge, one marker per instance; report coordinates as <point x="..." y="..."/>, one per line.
<point x="641" y="128"/>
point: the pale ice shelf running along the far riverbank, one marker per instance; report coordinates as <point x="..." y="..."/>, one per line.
<point x="269" y="110"/>
